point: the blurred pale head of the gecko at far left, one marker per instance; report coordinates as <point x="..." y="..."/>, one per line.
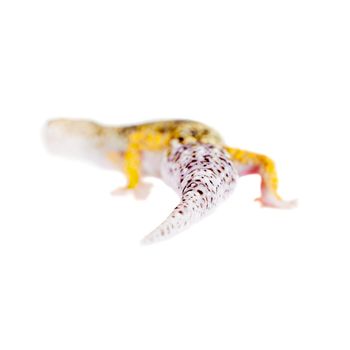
<point x="82" y="139"/>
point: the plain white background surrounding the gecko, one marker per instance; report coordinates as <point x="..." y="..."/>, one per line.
<point x="273" y="77"/>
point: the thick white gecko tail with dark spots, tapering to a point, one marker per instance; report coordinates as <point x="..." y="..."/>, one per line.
<point x="203" y="175"/>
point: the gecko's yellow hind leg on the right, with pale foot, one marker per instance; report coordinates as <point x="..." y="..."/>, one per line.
<point x="254" y="163"/>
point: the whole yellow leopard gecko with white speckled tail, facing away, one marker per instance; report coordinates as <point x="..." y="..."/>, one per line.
<point x="189" y="156"/>
